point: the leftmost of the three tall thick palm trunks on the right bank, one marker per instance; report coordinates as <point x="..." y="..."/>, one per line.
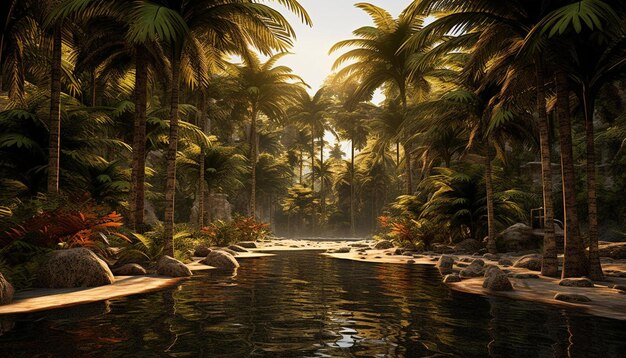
<point x="549" y="264"/>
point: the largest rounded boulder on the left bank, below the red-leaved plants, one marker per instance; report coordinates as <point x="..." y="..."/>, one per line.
<point x="77" y="267"/>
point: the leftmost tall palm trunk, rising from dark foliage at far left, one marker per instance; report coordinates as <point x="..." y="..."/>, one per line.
<point x="54" y="123"/>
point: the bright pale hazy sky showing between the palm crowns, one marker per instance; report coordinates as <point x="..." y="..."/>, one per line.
<point x="333" y="21"/>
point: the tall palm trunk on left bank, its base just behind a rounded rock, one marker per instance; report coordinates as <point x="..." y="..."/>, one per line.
<point x="170" y="186"/>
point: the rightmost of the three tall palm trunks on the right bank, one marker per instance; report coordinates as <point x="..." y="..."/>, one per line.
<point x="595" y="268"/>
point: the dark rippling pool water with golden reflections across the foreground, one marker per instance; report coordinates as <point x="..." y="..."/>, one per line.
<point x="302" y="304"/>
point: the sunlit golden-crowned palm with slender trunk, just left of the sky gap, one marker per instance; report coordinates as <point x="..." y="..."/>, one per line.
<point x="266" y="89"/>
